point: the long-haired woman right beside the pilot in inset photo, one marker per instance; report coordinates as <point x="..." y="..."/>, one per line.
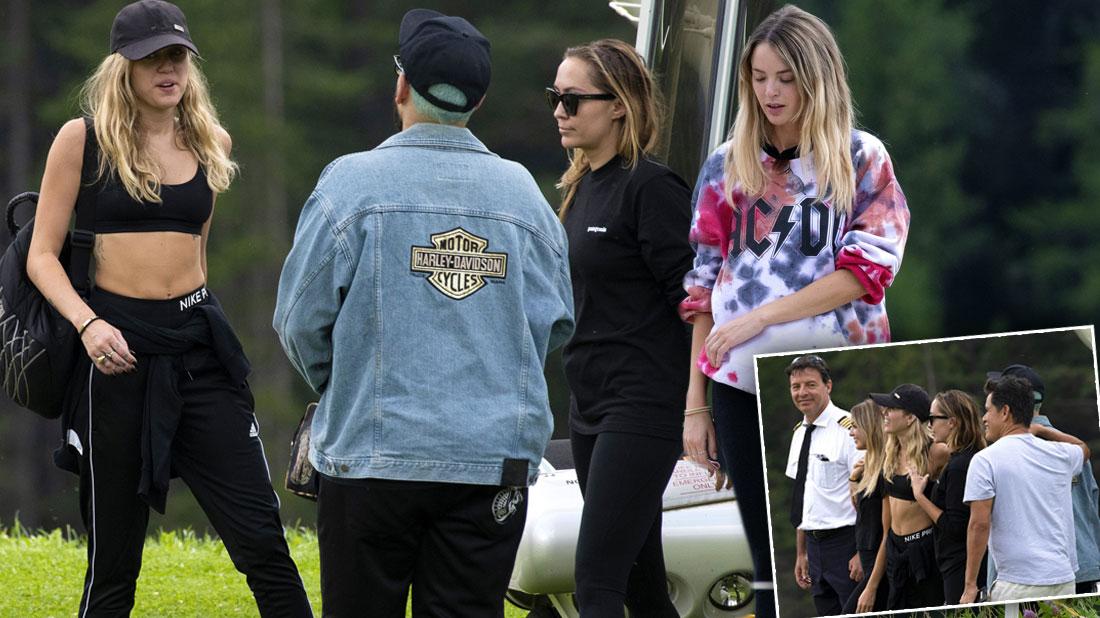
<point x="866" y="487"/>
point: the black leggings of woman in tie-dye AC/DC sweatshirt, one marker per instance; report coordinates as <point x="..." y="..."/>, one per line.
<point x="738" y="427"/>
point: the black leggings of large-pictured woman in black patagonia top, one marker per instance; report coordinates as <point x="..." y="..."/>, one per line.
<point x="620" y="558"/>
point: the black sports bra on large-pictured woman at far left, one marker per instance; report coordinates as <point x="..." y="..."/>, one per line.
<point x="184" y="208"/>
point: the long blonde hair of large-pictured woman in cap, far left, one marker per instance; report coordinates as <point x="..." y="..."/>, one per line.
<point x="108" y="98"/>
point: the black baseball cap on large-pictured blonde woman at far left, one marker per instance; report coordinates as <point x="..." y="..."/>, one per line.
<point x="148" y="26"/>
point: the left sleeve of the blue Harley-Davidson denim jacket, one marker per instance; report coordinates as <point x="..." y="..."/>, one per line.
<point x="312" y="289"/>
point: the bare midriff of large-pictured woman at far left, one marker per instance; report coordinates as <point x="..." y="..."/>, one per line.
<point x="150" y="266"/>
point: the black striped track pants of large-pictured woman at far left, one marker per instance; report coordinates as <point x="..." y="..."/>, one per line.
<point x="216" y="451"/>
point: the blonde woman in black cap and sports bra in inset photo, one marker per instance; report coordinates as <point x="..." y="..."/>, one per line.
<point x="907" y="558"/>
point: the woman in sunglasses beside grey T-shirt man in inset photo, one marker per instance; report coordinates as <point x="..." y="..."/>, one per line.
<point x="956" y="423"/>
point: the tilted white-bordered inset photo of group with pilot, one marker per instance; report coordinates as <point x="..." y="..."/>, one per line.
<point x="938" y="473"/>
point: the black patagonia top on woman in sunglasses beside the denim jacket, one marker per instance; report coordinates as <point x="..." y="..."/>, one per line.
<point x="629" y="359"/>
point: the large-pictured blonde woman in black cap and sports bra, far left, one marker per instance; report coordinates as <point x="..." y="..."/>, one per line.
<point x="163" y="390"/>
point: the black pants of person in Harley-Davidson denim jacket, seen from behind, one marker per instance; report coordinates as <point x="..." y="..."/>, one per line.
<point x="456" y="545"/>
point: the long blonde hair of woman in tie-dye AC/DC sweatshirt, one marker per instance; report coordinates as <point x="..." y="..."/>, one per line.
<point x="826" y="113"/>
